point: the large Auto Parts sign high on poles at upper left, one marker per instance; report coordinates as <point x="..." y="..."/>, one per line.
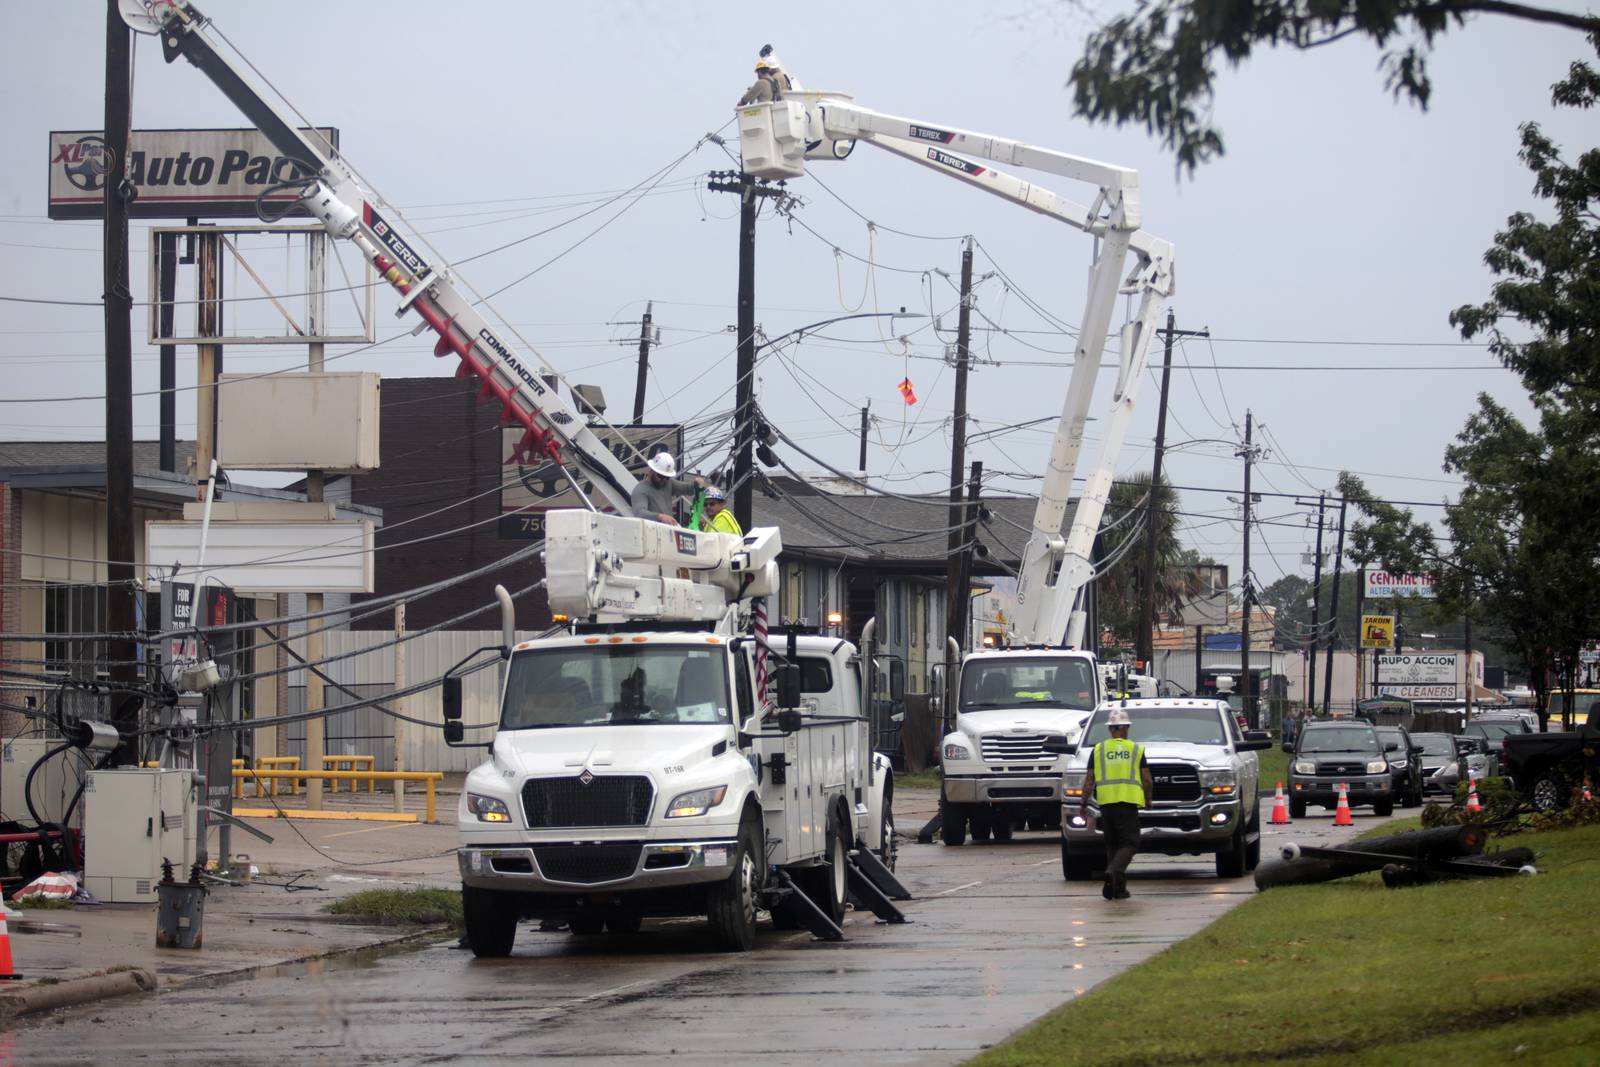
<point x="178" y="174"/>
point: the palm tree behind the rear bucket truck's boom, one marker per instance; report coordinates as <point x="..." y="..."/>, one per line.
<point x="1119" y="588"/>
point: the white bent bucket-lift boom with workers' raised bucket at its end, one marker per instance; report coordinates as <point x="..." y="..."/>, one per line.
<point x="778" y="138"/>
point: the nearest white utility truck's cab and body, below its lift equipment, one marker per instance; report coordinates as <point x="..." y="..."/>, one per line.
<point x="631" y="778"/>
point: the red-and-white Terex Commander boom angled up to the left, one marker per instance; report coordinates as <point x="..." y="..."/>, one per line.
<point x="554" y="431"/>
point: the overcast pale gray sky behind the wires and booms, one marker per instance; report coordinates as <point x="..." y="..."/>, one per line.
<point x="1324" y="252"/>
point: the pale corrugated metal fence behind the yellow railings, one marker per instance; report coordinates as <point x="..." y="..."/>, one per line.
<point x="431" y="657"/>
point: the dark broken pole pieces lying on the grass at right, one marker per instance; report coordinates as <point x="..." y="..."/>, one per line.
<point x="1438" y="850"/>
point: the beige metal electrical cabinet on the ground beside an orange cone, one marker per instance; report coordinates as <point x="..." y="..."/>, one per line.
<point x="134" y="820"/>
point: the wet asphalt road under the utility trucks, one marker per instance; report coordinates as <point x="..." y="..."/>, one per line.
<point x="998" y="938"/>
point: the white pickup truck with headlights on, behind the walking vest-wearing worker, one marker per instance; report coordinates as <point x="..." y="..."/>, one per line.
<point x="1206" y="778"/>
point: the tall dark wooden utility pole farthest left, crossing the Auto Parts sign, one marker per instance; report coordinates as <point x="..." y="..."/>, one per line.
<point x="121" y="617"/>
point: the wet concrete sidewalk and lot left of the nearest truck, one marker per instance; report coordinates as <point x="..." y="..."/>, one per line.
<point x="262" y="924"/>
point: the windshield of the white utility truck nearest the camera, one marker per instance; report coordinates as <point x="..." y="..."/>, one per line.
<point x="612" y="685"/>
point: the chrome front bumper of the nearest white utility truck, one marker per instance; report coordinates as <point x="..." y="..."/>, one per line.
<point x="662" y="865"/>
